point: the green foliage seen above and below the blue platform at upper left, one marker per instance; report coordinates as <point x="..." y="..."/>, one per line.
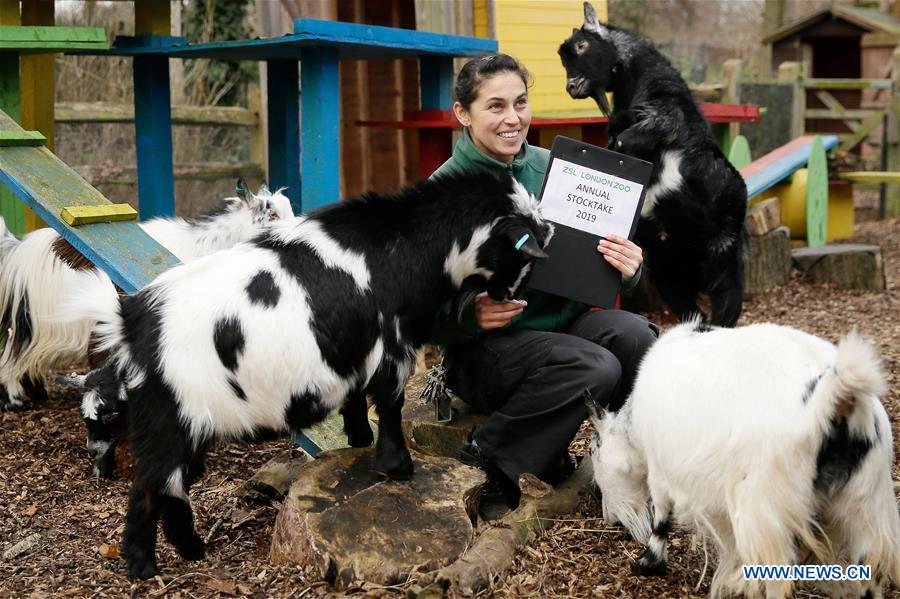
<point x="216" y="81"/>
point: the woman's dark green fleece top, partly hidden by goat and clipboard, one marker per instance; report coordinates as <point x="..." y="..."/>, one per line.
<point x="544" y="312"/>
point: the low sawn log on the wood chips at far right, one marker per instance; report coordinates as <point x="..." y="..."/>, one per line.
<point x="849" y="266"/>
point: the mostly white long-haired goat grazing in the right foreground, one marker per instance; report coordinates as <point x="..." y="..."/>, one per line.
<point x="766" y="440"/>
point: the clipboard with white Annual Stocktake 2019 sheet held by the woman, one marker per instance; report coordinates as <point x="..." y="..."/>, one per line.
<point x="599" y="184"/>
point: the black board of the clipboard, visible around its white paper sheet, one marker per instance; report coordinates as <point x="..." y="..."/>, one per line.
<point x="574" y="268"/>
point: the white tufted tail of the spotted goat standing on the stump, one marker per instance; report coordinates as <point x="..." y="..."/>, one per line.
<point x="93" y="297"/>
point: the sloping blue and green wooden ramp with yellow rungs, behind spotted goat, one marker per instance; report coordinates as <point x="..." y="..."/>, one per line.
<point x="123" y="250"/>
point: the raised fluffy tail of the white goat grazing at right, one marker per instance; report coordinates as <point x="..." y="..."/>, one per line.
<point x="844" y="387"/>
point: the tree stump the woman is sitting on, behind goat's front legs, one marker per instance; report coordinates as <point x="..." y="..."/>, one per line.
<point x="425" y="434"/>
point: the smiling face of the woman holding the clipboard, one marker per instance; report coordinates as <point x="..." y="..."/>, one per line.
<point x="499" y="117"/>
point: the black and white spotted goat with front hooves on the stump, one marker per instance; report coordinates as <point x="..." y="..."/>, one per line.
<point x="275" y="333"/>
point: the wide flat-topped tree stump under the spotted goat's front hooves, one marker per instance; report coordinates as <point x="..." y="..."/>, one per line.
<point x="349" y="522"/>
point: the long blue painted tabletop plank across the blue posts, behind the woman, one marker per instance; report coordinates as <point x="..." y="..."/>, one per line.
<point x="353" y="41"/>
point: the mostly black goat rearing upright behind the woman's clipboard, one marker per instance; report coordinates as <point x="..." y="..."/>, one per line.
<point x="692" y="220"/>
